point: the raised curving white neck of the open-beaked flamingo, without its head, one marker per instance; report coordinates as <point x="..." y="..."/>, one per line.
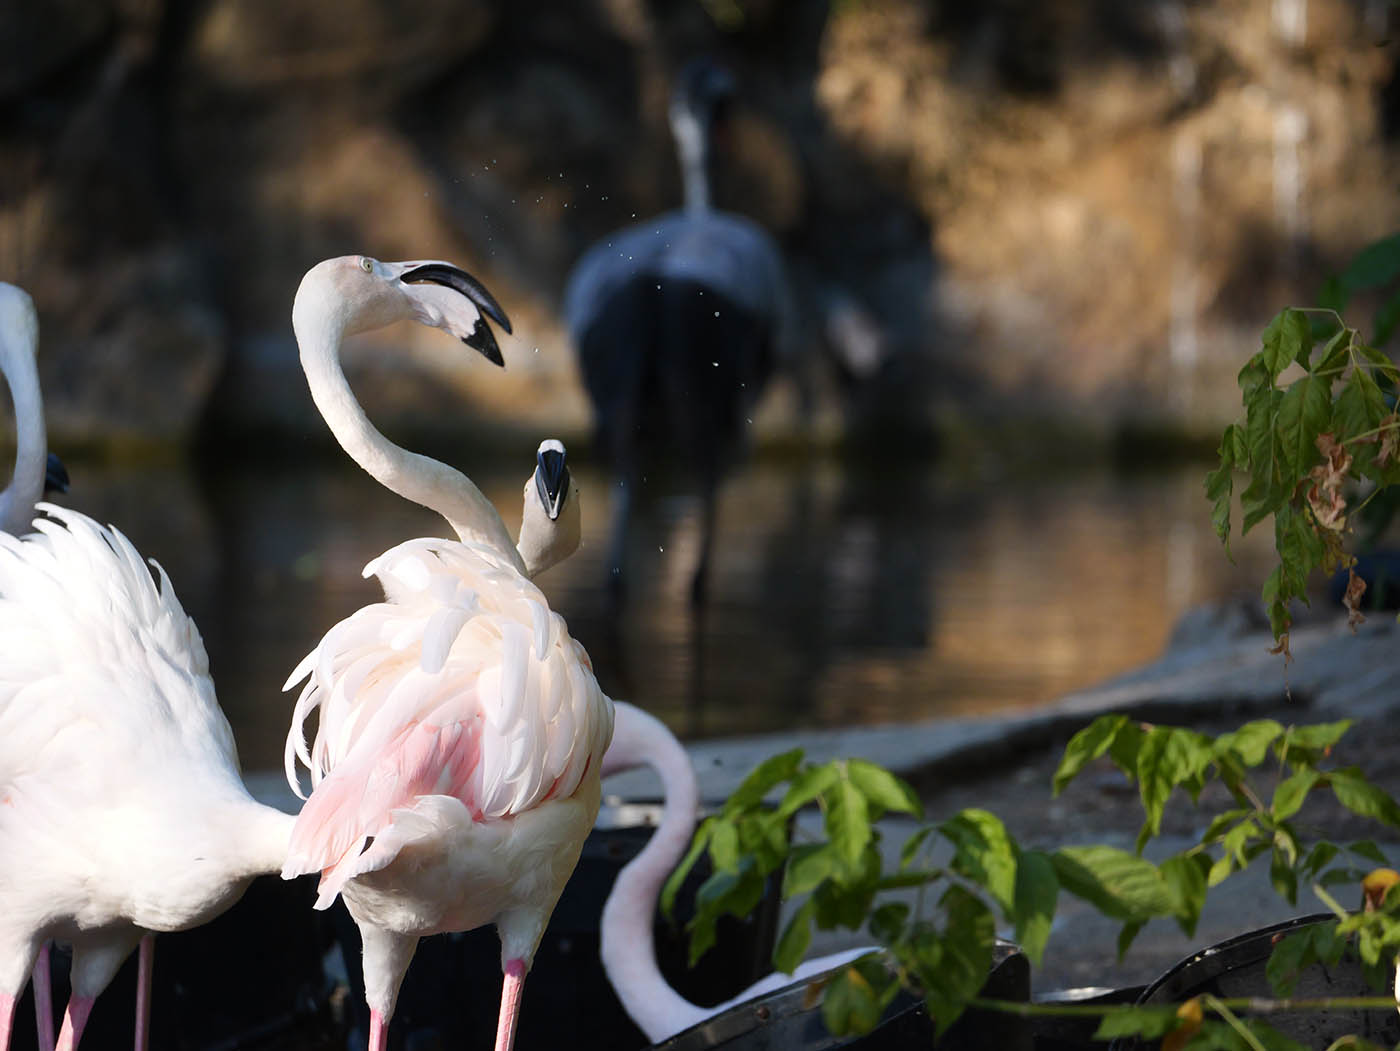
<point x="320" y="330"/>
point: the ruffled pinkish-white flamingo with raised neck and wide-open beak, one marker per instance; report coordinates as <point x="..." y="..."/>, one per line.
<point x="456" y="768"/>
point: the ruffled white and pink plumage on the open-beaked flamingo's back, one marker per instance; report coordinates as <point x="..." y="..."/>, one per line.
<point x="463" y="684"/>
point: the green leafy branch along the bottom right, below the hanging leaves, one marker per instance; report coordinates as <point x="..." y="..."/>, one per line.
<point x="968" y="874"/>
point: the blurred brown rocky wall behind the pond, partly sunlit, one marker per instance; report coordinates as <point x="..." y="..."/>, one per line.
<point x="1081" y="209"/>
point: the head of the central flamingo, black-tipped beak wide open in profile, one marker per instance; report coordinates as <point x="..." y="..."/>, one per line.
<point x="369" y="295"/>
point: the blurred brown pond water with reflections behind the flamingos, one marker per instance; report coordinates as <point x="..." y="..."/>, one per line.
<point x="839" y="597"/>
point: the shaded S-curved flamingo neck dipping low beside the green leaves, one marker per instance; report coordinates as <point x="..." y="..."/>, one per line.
<point x="626" y="938"/>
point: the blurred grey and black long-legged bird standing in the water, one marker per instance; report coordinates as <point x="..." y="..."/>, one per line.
<point x="678" y="323"/>
